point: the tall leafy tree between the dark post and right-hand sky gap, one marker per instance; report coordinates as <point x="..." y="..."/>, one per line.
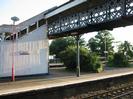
<point x="101" y="42"/>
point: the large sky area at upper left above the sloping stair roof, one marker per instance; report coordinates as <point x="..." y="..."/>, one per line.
<point x="24" y="9"/>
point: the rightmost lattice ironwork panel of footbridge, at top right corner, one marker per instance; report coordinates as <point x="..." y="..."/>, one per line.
<point x="129" y="7"/>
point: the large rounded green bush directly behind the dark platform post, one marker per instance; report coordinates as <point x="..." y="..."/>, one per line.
<point x="88" y="62"/>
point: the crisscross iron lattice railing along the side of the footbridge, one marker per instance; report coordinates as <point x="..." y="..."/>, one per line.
<point x="111" y="10"/>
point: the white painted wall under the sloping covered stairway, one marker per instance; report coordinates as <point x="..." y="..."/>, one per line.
<point x="36" y="44"/>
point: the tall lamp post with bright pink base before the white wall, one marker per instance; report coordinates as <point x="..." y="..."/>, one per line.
<point x="14" y="19"/>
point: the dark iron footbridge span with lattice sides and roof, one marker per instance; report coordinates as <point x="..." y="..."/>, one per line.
<point x="89" y="16"/>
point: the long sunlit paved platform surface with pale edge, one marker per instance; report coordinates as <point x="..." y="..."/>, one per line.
<point x="43" y="83"/>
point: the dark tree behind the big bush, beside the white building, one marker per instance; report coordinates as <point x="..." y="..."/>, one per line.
<point x="59" y="45"/>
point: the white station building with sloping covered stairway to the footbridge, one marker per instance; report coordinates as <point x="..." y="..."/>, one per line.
<point x="30" y="50"/>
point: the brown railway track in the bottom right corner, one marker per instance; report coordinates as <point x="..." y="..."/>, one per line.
<point x="122" y="92"/>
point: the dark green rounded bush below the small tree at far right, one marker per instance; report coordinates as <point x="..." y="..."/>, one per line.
<point x="118" y="60"/>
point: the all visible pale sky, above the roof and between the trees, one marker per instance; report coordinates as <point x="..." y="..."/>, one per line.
<point x="25" y="9"/>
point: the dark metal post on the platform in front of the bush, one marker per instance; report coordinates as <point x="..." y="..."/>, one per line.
<point x="78" y="57"/>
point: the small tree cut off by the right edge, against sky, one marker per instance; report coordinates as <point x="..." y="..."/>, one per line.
<point x="126" y="48"/>
